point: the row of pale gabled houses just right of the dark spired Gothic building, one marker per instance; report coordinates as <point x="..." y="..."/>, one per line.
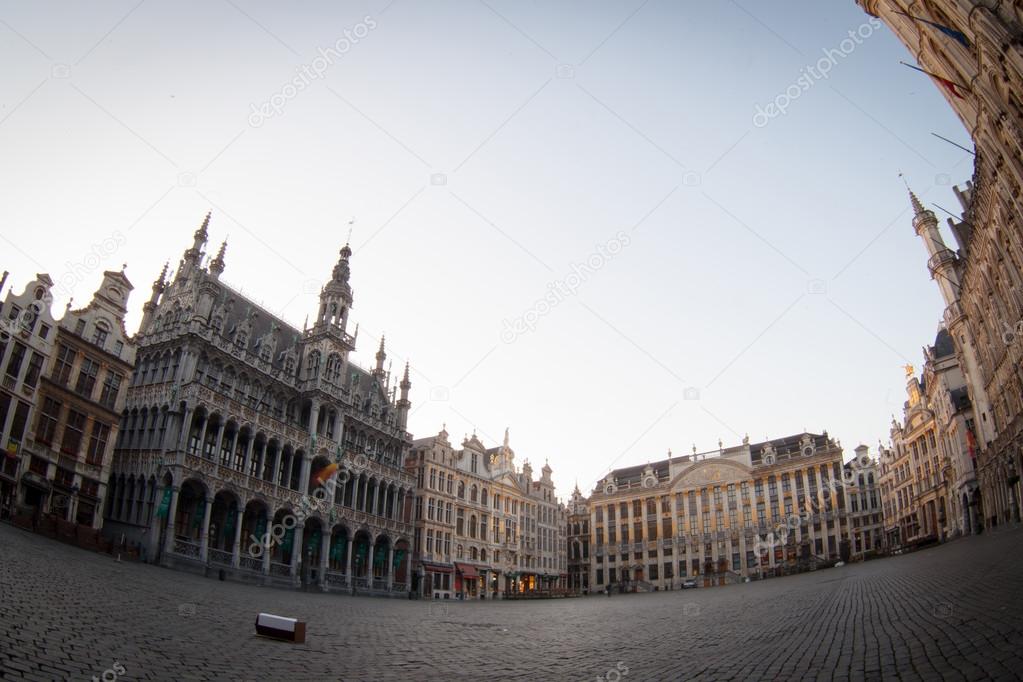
<point x="484" y="530"/>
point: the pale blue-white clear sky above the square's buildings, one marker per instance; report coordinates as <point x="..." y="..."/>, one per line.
<point x="582" y="221"/>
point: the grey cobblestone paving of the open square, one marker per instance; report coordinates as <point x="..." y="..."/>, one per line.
<point x="952" y="612"/>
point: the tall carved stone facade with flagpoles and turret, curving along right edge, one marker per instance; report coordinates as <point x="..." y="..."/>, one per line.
<point x="977" y="48"/>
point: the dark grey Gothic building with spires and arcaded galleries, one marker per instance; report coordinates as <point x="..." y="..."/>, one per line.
<point x="234" y="420"/>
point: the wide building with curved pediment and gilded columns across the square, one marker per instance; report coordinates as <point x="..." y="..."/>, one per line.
<point x="720" y="517"/>
